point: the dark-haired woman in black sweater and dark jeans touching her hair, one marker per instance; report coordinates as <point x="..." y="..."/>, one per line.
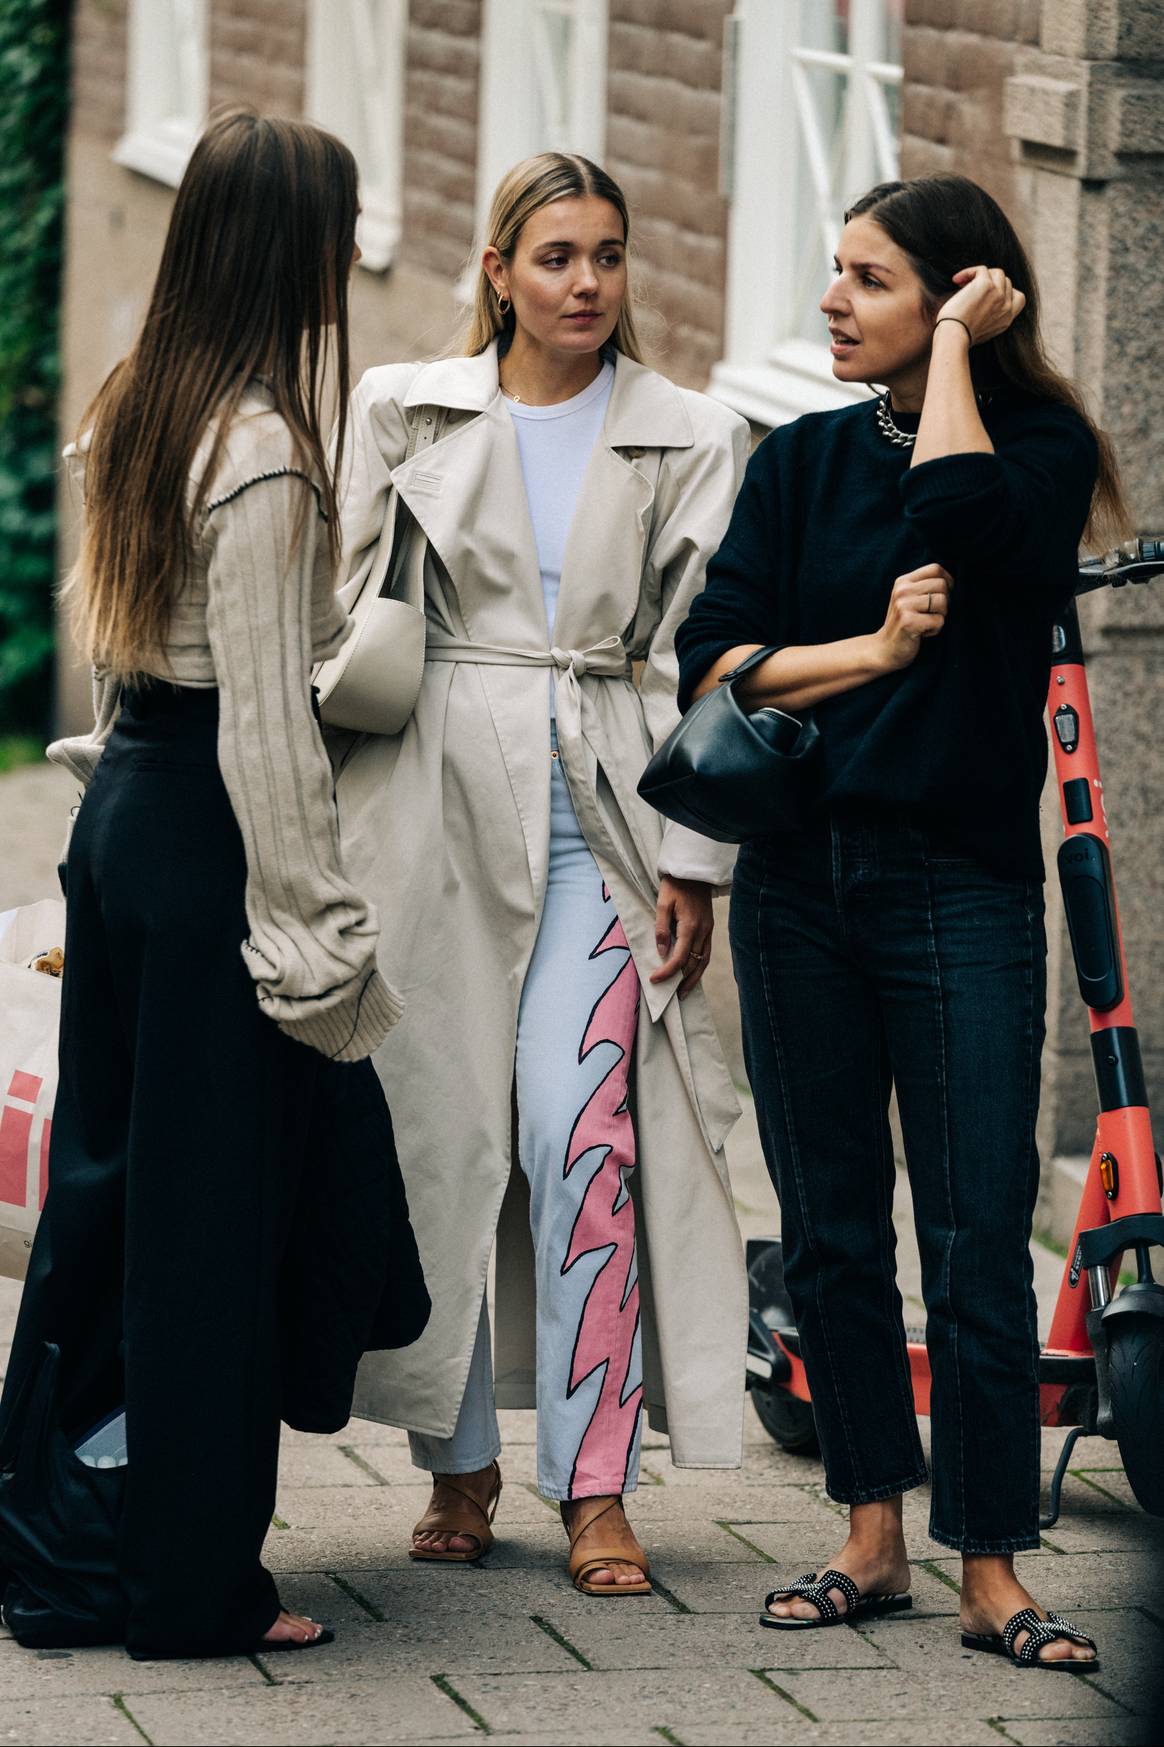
<point x="908" y="558"/>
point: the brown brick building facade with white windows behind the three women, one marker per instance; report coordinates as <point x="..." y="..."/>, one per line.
<point x="738" y="130"/>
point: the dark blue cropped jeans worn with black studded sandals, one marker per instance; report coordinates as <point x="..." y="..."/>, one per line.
<point x="868" y="958"/>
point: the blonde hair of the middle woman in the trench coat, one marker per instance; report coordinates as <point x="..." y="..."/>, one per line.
<point x="522" y="193"/>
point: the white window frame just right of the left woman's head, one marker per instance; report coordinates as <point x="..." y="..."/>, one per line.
<point x="356" y="88"/>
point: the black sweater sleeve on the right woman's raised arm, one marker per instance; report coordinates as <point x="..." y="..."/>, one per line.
<point x="1023" y="501"/>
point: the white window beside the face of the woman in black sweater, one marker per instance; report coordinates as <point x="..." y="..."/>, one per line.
<point x="810" y="121"/>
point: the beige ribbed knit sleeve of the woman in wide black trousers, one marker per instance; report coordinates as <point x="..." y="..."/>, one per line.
<point x="312" y="948"/>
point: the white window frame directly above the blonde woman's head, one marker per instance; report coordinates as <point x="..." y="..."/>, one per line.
<point x="509" y="90"/>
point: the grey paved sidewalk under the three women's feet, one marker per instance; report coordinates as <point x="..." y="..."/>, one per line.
<point x="513" y="1654"/>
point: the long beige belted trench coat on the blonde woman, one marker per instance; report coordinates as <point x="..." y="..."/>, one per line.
<point x="447" y="829"/>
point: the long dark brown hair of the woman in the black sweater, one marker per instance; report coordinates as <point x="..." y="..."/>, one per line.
<point x="950" y="223"/>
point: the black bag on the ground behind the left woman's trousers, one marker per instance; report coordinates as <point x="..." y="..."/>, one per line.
<point x="59" y="1531"/>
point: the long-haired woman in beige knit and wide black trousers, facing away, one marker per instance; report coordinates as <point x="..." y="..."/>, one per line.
<point x="225" y="1201"/>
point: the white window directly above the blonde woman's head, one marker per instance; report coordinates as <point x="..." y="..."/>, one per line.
<point x="543" y="85"/>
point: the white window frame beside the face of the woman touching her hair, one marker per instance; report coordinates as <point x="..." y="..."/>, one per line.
<point x="770" y="141"/>
